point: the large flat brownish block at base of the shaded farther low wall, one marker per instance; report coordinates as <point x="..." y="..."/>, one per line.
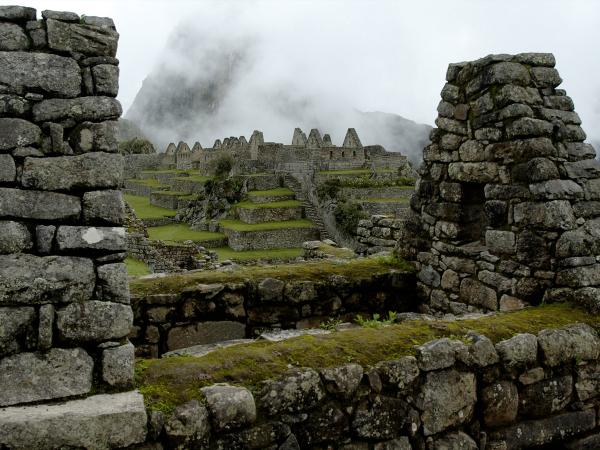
<point x="204" y="333"/>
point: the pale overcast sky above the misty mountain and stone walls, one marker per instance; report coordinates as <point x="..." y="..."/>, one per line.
<point x="380" y="55"/>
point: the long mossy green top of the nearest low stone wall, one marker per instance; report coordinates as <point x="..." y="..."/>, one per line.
<point x="169" y="382"/>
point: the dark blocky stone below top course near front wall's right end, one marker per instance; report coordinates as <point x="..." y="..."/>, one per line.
<point x="546" y="397"/>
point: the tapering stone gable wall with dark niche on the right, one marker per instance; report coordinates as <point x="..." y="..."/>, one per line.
<point x="507" y="211"/>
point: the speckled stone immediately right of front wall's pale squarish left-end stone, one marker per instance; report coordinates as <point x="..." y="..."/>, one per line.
<point x="300" y="390"/>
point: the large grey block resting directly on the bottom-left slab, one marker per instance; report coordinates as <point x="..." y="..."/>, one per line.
<point x="34" y="377"/>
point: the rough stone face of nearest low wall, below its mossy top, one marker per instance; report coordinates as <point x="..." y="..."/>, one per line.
<point x="522" y="393"/>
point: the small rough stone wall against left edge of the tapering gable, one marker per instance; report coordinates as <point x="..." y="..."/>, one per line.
<point x="377" y="234"/>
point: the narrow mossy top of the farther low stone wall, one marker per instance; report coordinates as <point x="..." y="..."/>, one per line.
<point x="356" y="269"/>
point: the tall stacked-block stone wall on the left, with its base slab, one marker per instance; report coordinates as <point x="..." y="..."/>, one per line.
<point x="64" y="297"/>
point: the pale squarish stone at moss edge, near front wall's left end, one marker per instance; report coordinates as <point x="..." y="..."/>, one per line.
<point x="230" y="406"/>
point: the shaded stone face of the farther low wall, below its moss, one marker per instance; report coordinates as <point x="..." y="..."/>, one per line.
<point x="211" y="313"/>
